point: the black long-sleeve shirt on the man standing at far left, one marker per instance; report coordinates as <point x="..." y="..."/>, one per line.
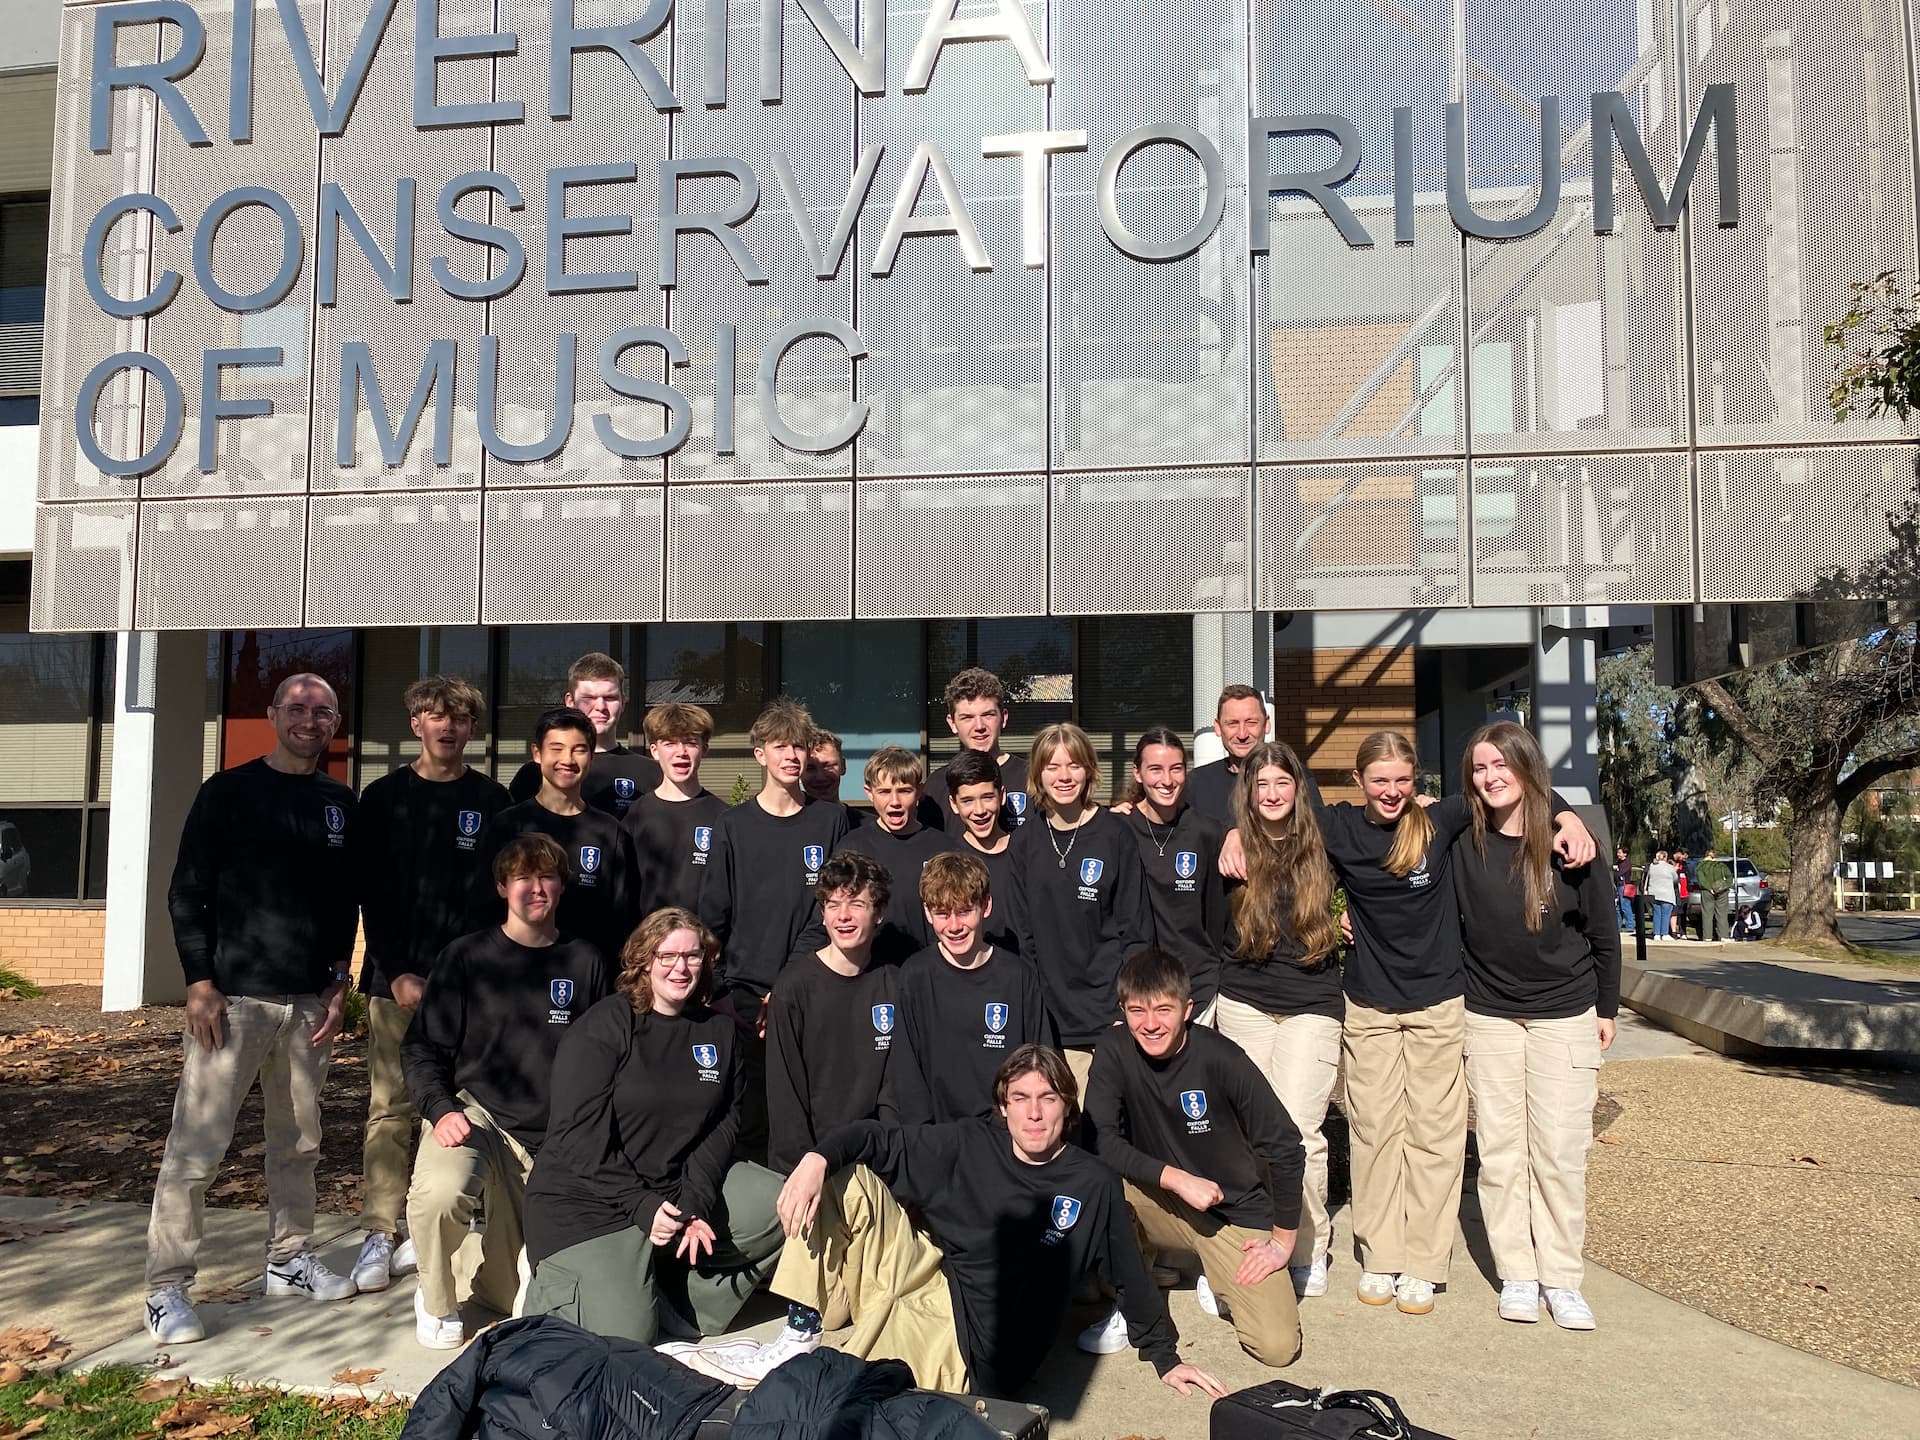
<point x="266" y="888"/>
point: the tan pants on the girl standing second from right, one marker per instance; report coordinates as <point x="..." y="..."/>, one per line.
<point x="1406" y="1113"/>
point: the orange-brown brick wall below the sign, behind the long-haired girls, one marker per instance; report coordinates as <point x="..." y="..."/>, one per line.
<point x="1328" y="702"/>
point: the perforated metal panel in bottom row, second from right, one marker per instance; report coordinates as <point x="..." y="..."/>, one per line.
<point x="1583" y="531"/>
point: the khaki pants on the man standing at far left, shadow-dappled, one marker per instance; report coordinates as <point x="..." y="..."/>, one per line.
<point x="268" y="1040"/>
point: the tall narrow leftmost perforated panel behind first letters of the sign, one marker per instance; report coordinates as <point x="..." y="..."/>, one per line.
<point x="78" y="333"/>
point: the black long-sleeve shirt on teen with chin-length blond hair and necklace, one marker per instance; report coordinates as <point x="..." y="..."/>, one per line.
<point x="1082" y="919"/>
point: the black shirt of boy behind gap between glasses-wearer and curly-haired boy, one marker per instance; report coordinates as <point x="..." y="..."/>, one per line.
<point x="757" y="896"/>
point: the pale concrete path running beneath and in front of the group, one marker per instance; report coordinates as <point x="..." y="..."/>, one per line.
<point x="1654" y="1368"/>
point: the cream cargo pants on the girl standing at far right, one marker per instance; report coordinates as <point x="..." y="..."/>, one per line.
<point x="1535" y="1084"/>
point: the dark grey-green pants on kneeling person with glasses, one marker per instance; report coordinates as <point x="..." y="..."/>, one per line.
<point x="608" y="1285"/>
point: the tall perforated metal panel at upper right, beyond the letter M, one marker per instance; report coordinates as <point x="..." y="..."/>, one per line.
<point x="1827" y="201"/>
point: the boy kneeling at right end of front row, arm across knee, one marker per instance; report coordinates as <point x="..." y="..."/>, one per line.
<point x="1212" y="1161"/>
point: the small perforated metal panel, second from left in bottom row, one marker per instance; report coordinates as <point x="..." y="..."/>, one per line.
<point x="222" y="564"/>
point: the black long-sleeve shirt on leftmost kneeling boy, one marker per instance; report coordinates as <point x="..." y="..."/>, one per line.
<point x="491" y="1022"/>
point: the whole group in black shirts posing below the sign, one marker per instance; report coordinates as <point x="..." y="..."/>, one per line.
<point x="924" y="1070"/>
